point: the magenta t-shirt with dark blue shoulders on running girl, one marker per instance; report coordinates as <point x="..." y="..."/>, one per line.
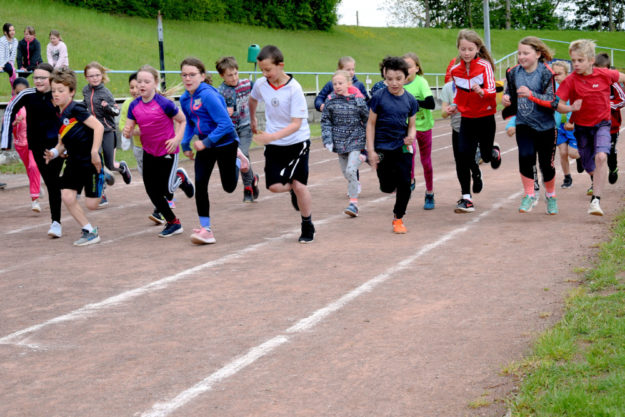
<point x="155" y="120"/>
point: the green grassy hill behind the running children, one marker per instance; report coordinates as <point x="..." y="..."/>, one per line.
<point x="126" y="43"/>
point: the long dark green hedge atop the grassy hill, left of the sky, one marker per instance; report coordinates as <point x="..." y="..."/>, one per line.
<point x="279" y="14"/>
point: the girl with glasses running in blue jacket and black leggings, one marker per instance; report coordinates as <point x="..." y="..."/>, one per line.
<point x="207" y="117"/>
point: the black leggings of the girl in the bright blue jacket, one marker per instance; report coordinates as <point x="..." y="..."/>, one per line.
<point x="226" y="159"/>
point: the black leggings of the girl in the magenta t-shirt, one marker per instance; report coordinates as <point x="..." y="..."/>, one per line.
<point x="160" y="181"/>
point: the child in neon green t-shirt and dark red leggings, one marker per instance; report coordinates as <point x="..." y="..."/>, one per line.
<point x="418" y="86"/>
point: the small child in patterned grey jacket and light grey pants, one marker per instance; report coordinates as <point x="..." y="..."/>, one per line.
<point x="343" y="124"/>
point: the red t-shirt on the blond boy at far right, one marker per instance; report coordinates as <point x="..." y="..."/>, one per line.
<point x="594" y="90"/>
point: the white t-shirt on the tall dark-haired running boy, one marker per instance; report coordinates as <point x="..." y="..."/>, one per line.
<point x="281" y="105"/>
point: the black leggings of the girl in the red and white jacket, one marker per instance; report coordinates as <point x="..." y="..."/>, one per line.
<point x="473" y="132"/>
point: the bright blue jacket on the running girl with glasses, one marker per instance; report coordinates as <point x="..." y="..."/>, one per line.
<point x="207" y="117"/>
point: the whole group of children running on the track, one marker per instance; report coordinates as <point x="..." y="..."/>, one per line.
<point x="383" y="130"/>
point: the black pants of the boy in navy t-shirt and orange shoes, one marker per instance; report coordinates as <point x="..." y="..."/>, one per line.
<point x="394" y="175"/>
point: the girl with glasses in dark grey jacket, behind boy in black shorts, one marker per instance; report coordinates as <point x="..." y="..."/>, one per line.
<point x="101" y="104"/>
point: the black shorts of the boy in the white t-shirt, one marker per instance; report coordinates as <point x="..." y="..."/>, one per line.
<point x="284" y="164"/>
